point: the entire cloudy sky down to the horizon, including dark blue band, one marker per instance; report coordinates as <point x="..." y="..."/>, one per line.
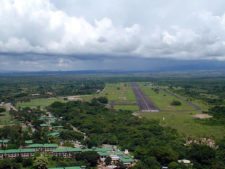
<point x="110" y="34"/>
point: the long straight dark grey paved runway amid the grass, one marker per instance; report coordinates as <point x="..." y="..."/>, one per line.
<point x="144" y="103"/>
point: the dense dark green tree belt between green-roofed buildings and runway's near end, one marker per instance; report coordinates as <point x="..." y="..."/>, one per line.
<point x="149" y="142"/>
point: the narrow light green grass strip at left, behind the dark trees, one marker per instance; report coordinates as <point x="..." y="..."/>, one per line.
<point x="42" y="102"/>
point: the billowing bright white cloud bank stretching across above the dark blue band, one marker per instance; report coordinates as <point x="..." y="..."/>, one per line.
<point x="38" y="26"/>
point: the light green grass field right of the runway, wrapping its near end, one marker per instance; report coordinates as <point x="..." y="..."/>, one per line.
<point x="180" y="117"/>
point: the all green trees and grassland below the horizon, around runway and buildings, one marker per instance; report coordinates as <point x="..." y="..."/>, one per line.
<point x="157" y="140"/>
